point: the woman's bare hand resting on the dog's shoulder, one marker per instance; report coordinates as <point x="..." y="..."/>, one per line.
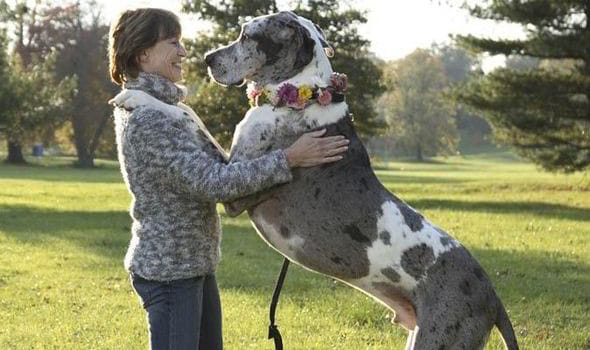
<point x="312" y="149"/>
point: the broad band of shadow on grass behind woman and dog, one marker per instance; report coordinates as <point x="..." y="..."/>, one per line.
<point x="250" y="266"/>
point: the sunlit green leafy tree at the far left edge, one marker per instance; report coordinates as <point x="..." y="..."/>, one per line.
<point x="35" y="30"/>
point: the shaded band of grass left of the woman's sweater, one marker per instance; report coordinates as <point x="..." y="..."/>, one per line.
<point x="105" y="233"/>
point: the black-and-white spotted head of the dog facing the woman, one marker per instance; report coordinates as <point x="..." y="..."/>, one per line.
<point x="270" y="49"/>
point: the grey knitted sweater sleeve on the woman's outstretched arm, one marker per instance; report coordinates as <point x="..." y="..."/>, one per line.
<point x="170" y="144"/>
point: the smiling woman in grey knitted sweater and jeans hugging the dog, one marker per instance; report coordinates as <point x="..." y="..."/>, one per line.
<point x="176" y="174"/>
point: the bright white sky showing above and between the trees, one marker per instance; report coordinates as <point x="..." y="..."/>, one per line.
<point x="394" y="27"/>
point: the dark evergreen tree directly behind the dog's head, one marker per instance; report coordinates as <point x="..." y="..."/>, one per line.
<point x="222" y="108"/>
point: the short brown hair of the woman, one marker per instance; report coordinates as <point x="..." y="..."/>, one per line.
<point x="133" y="32"/>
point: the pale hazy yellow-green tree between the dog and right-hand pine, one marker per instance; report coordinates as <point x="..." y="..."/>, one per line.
<point x="419" y="115"/>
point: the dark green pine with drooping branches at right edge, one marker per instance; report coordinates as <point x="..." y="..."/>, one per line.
<point x="543" y="112"/>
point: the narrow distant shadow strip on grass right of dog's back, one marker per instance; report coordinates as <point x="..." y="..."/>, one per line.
<point x="555" y="211"/>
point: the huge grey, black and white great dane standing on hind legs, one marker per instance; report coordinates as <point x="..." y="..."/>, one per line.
<point x="338" y="219"/>
